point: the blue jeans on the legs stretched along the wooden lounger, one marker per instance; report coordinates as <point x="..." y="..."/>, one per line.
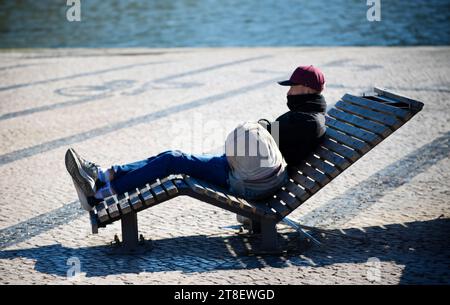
<point x="210" y="168"/>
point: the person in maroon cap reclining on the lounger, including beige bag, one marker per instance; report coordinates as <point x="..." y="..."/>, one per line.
<point x="252" y="166"/>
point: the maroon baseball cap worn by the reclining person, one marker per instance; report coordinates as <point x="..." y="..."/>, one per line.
<point x="308" y="76"/>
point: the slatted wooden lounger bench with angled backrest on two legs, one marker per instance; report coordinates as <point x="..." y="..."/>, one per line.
<point x="355" y="125"/>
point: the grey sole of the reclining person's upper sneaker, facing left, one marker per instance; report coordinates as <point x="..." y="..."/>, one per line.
<point x="80" y="178"/>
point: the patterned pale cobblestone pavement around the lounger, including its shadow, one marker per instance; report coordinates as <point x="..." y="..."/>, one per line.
<point x="386" y="219"/>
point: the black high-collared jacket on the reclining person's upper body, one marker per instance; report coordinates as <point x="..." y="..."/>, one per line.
<point x="301" y="128"/>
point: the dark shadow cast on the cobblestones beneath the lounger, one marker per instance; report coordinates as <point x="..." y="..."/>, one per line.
<point x="422" y="247"/>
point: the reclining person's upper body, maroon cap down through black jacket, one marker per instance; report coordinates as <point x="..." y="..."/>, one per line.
<point x="303" y="126"/>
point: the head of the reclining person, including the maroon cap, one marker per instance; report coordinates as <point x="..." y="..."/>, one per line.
<point x="305" y="80"/>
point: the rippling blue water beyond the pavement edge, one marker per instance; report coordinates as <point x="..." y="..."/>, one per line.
<point x="203" y="23"/>
